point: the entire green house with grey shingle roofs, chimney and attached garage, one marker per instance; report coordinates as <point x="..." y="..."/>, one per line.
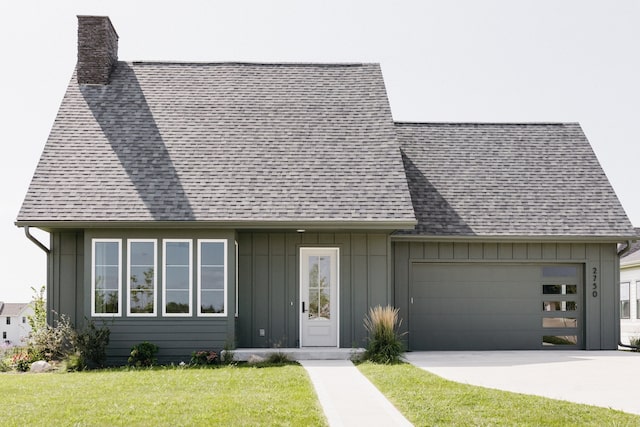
<point x="272" y="204"/>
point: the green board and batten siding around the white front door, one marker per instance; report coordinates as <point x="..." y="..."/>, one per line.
<point x="268" y="284"/>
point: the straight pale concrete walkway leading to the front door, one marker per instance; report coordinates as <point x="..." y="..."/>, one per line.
<point x="348" y="398"/>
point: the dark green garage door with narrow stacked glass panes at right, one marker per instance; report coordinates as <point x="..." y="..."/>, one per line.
<point x="501" y="306"/>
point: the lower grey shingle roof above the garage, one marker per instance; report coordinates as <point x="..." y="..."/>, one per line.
<point x="508" y="180"/>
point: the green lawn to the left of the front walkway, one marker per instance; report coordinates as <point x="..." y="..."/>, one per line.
<point x="243" y="396"/>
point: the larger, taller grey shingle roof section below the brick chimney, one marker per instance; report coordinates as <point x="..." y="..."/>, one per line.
<point x="223" y="143"/>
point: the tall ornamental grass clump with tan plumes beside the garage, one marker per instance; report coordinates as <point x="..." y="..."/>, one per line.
<point x="384" y="345"/>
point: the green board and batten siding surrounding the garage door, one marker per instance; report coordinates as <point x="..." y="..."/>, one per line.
<point x="601" y="311"/>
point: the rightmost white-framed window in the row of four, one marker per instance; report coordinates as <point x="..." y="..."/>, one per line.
<point x="212" y="277"/>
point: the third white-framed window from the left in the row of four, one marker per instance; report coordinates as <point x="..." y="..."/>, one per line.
<point x="177" y="279"/>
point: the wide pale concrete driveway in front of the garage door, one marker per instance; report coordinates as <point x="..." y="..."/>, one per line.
<point x="602" y="378"/>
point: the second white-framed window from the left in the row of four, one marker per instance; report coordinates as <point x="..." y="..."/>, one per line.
<point x="141" y="277"/>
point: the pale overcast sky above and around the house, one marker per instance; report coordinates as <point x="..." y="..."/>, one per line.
<point x="465" y="60"/>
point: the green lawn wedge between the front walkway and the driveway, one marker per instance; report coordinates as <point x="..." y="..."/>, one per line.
<point x="426" y="400"/>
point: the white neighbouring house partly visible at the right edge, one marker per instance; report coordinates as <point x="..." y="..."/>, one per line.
<point x="630" y="292"/>
